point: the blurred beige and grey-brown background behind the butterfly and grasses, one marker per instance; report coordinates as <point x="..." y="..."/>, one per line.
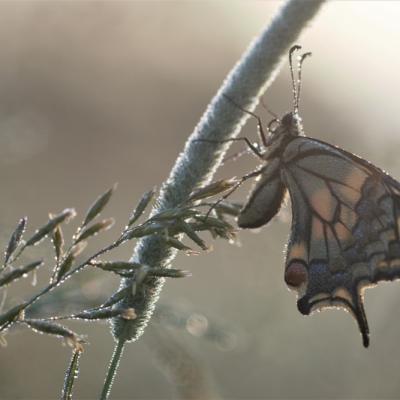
<point x="93" y="93"/>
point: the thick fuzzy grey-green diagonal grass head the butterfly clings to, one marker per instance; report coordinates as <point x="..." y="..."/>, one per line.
<point x="198" y="162"/>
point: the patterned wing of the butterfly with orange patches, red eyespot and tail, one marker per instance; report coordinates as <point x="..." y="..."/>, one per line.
<point x="345" y="232"/>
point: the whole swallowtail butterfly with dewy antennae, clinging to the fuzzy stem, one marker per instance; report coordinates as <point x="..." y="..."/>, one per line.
<point x="345" y="233"/>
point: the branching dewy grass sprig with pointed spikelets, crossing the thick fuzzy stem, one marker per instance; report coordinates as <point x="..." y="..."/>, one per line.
<point x="168" y="225"/>
